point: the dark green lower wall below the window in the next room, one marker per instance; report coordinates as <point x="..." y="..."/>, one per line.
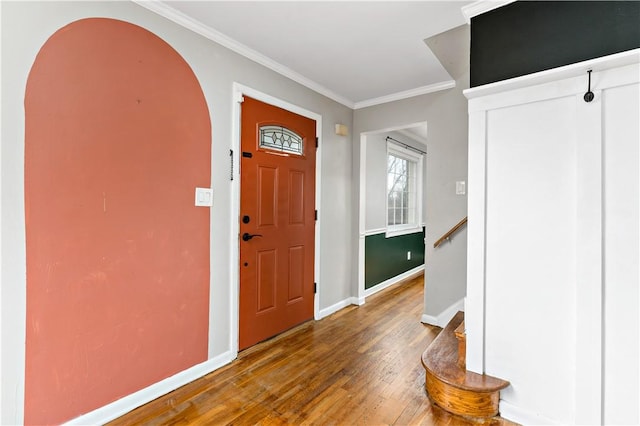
<point x="386" y="258"/>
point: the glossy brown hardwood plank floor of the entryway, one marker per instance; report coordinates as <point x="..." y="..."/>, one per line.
<point x="359" y="366"/>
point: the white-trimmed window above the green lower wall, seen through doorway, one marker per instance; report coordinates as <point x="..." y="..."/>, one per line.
<point x="404" y="191"/>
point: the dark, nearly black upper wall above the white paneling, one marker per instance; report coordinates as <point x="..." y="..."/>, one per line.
<point x="530" y="36"/>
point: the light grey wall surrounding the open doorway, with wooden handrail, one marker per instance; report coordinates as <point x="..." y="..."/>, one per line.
<point x="446" y="115"/>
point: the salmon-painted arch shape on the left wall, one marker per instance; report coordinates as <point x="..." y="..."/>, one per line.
<point x="117" y="137"/>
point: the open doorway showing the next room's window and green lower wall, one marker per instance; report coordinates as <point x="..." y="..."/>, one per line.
<point x="401" y="248"/>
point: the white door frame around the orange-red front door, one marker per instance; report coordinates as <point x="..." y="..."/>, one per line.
<point x="239" y="91"/>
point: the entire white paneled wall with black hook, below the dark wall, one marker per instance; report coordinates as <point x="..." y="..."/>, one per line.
<point x="552" y="297"/>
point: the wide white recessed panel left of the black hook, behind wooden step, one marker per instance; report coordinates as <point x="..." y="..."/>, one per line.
<point x="531" y="204"/>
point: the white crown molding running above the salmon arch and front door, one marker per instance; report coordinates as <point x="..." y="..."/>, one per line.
<point x="198" y="27"/>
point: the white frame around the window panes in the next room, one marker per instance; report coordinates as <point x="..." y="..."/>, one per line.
<point x="416" y="162"/>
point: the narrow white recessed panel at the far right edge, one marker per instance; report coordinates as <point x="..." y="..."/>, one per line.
<point x="621" y="132"/>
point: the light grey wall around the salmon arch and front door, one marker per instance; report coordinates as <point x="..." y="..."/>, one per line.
<point x="25" y="28"/>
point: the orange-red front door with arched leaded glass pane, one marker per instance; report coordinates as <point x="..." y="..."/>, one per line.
<point x="277" y="221"/>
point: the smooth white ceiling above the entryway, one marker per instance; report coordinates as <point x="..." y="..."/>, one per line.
<point x="358" y="53"/>
